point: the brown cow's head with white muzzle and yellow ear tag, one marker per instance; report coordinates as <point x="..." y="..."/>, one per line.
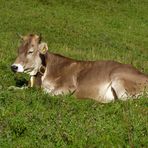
<point x="29" y="55"/>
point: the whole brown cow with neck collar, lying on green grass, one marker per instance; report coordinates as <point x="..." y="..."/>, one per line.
<point x="103" y="81"/>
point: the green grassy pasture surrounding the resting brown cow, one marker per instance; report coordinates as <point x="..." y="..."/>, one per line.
<point x="81" y="29"/>
